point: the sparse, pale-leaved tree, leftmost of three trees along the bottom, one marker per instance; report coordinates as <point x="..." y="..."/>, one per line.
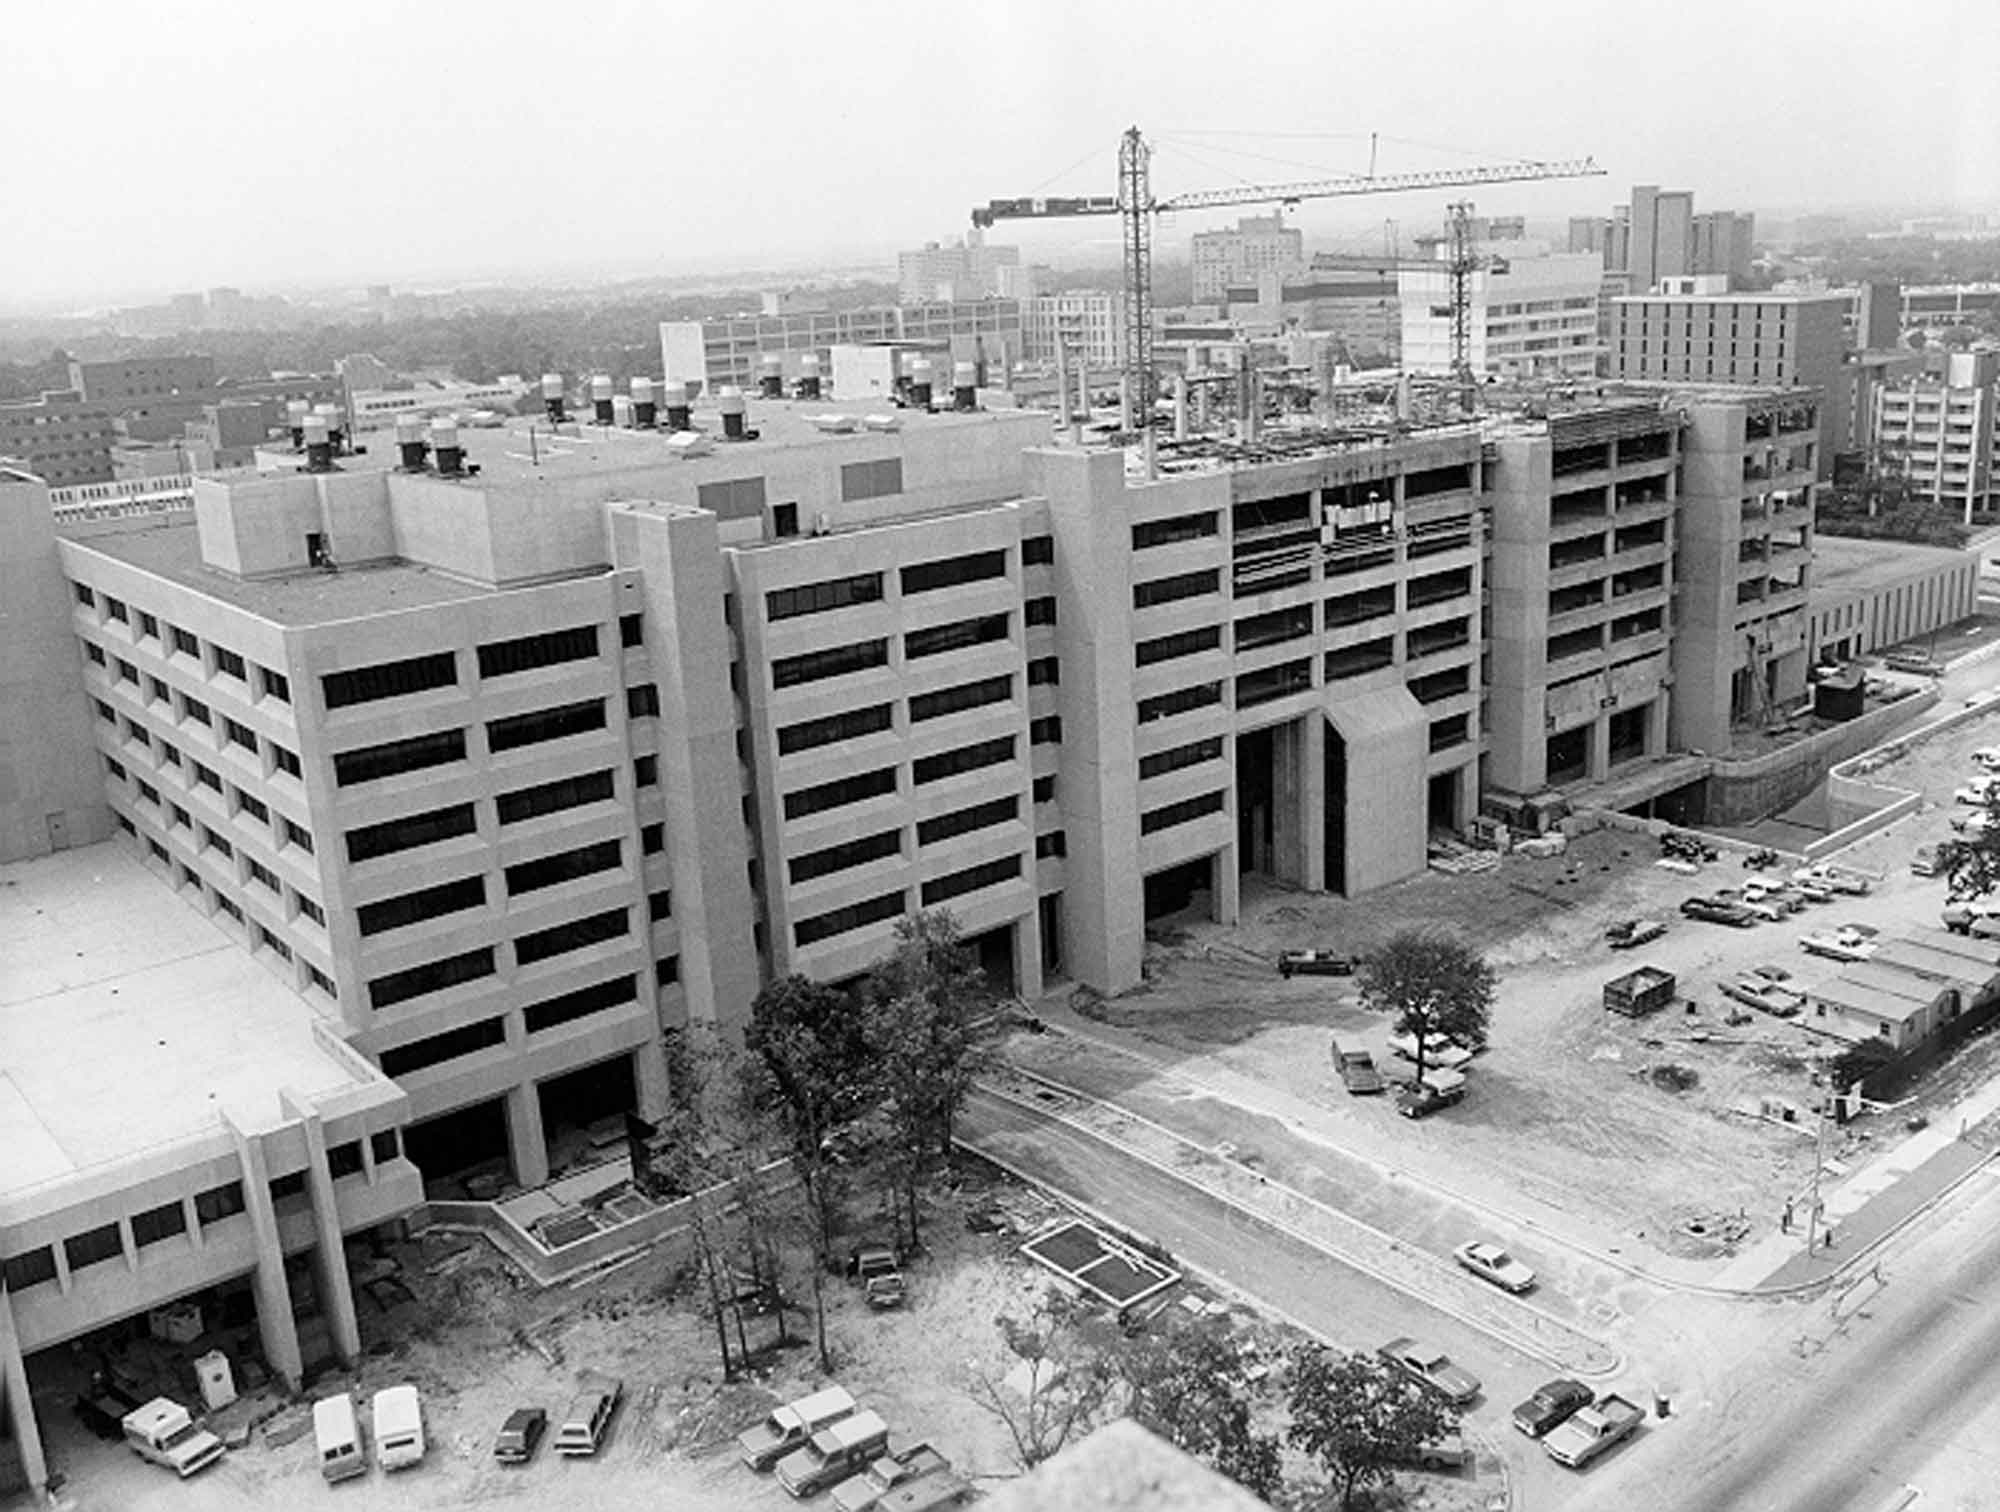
<point x="1069" y="1379"/>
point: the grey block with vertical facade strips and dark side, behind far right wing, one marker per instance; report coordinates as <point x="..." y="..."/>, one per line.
<point x="1711" y="337"/>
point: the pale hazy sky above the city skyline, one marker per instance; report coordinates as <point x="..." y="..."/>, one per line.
<point x="159" y="145"/>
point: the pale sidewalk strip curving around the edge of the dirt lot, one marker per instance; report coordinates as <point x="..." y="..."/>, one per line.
<point x="1867" y="1207"/>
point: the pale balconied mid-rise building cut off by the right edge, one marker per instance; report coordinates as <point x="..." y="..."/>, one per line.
<point x="1943" y="431"/>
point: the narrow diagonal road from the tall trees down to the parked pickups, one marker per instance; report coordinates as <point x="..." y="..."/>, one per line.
<point x="1283" y="1273"/>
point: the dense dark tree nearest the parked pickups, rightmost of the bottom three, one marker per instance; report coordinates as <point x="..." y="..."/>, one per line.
<point x="1361" y="1419"/>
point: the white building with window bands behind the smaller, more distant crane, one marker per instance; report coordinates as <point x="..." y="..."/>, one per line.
<point x="1531" y="317"/>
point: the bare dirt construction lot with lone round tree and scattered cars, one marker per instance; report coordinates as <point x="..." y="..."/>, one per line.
<point x="1563" y="1105"/>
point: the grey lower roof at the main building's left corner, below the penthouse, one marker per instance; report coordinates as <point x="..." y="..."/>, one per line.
<point x="309" y="597"/>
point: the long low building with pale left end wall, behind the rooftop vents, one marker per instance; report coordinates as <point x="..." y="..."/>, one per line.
<point x="727" y="351"/>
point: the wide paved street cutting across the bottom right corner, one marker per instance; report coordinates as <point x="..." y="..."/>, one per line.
<point x="1841" y="1417"/>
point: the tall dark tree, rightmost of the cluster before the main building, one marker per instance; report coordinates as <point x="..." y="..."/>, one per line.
<point x="925" y="1045"/>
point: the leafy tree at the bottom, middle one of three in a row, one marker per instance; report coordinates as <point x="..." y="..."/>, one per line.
<point x="1183" y="1387"/>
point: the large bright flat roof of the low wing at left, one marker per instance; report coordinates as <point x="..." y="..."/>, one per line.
<point x="129" y="1021"/>
